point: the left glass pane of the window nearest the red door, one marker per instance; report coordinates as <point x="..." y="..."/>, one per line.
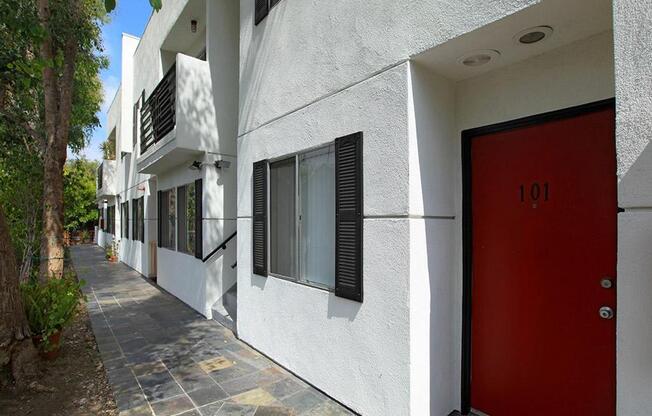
<point x="282" y="217"/>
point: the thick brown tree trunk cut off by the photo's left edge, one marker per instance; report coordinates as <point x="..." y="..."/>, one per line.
<point x="17" y="354"/>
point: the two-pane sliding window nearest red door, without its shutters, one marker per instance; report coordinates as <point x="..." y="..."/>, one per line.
<point x="302" y="217"/>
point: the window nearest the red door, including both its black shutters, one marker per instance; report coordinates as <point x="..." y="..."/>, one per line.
<point x="307" y="217"/>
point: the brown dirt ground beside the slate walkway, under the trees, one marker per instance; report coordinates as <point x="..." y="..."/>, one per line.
<point x="74" y="384"/>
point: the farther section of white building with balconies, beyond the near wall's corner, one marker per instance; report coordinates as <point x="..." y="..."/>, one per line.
<point x="175" y="123"/>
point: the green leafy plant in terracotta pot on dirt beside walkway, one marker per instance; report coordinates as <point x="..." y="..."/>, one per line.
<point x="49" y="307"/>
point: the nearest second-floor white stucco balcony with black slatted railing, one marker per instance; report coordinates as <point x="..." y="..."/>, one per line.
<point x="177" y="120"/>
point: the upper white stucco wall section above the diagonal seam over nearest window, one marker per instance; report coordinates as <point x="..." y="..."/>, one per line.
<point x="306" y="50"/>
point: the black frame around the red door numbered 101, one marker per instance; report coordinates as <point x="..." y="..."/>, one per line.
<point x="467" y="225"/>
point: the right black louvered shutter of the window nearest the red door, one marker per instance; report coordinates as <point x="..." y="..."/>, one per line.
<point x="348" y="217"/>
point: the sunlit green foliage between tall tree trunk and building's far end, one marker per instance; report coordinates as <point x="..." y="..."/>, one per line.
<point x="79" y="194"/>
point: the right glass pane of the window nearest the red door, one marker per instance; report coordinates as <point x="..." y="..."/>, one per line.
<point x="317" y="216"/>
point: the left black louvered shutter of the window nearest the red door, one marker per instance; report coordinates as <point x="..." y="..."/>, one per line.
<point x="259" y="202"/>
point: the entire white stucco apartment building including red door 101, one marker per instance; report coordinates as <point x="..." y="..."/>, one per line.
<point x="434" y="202"/>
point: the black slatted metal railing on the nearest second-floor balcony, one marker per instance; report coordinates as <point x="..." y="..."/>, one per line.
<point x="157" y="115"/>
